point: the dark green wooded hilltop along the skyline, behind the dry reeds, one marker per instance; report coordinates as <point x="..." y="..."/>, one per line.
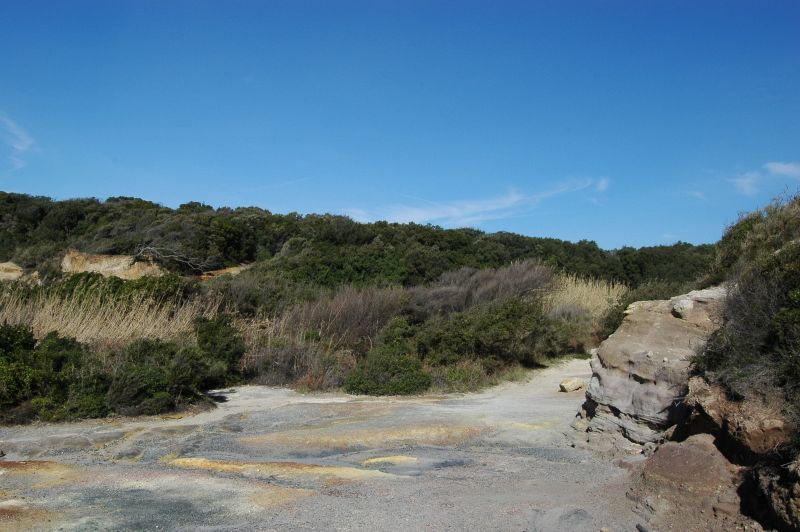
<point x="318" y="249"/>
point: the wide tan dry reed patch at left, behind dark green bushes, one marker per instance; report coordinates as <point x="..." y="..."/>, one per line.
<point x="95" y="319"/>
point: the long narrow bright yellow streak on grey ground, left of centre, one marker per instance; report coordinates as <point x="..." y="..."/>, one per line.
<point x="279" y="470"/>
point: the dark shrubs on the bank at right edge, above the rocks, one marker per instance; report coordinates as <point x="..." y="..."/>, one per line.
<point x="756" y="353"/>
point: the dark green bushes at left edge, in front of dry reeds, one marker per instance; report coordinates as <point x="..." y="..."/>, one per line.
<point x="58" y="378"/>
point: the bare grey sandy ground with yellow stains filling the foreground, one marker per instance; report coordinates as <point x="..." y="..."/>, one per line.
<point x="273" y="459"/>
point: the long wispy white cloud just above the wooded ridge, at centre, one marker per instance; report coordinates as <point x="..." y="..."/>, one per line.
<point x="460" y="213"/>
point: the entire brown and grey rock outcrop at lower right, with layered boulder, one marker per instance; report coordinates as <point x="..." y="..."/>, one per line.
<point x="726" y="465"/>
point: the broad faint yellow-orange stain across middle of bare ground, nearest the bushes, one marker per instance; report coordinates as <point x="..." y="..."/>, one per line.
<point x="314" y="438"/>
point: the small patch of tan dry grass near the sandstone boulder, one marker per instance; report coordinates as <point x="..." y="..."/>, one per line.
<point x="592" y="295"/>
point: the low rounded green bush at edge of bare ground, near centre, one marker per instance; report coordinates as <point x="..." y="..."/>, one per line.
<point x="387" y="370"/>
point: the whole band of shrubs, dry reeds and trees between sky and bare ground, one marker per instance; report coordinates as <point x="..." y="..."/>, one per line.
<point x="373" y="308"/>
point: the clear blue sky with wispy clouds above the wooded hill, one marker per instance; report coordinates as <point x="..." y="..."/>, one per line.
<point x="627" y="123"/>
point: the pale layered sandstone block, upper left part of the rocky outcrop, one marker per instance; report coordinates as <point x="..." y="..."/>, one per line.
<point x="640" y="373"/>
